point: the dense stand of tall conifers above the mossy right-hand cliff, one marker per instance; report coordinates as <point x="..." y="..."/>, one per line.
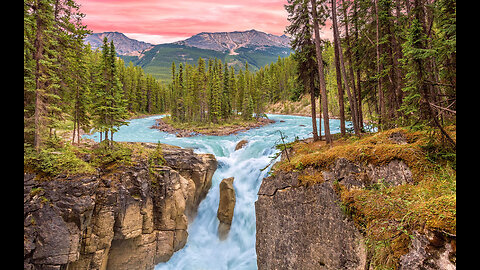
<point x="396" y="60"/>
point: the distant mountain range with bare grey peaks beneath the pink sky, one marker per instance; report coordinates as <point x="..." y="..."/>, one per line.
<point x="235" y="48"/>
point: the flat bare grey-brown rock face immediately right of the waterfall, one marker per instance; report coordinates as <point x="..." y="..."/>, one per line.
<point x="304" y="228"/>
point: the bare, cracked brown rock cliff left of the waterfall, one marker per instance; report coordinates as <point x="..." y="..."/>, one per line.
<point x="132" y="217"/>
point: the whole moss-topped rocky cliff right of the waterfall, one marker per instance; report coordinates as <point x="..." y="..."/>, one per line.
<point x="334" y="209"/>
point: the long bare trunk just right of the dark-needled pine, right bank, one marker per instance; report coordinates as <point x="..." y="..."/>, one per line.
<point x="323" y="87"/>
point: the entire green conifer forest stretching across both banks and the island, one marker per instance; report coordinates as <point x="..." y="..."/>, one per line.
<point x="392" y="63"/>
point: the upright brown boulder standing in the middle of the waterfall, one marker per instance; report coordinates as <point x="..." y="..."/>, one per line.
<point x="226" y="207"/>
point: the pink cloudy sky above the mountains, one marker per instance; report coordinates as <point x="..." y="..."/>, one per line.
<point x="164" y="21"/>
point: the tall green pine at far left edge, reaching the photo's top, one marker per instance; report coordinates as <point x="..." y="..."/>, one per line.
<point x="51" y="30"/>
